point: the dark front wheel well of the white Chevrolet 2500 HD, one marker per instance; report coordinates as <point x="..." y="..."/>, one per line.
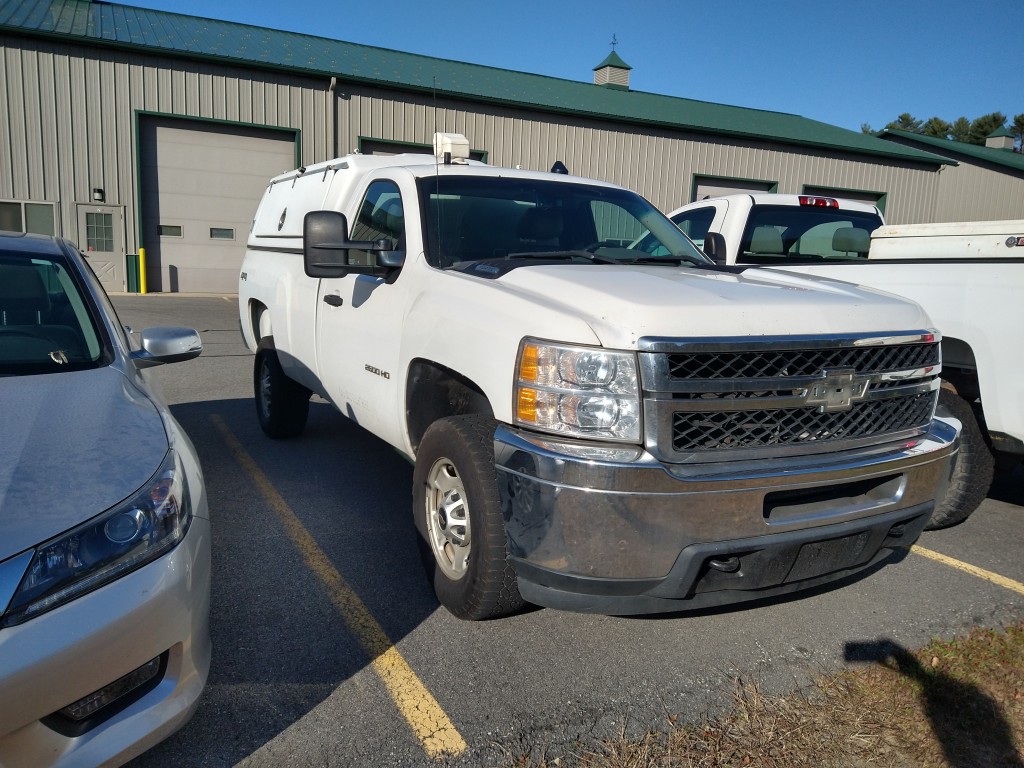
<point x="436" y="393"/>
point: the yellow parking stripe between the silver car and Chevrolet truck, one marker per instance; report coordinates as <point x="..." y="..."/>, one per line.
<point x="424" y="715"/>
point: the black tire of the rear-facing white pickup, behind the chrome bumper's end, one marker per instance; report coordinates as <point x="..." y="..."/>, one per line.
<point x="973" y="474"/>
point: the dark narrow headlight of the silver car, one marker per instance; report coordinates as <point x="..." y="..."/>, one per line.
<point x="117" y="542"/>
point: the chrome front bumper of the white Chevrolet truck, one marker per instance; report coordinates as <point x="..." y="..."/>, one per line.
<point x="613" y="531"/>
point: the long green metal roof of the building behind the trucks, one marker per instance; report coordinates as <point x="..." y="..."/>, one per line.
<point x="130" y="28"/>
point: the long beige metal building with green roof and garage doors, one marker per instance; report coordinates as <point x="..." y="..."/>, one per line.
<point x="130" y="129"/>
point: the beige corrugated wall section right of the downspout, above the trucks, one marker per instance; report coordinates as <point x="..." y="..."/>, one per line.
<point x="660" y="165"/>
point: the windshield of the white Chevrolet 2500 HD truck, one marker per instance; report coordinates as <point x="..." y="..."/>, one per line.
<point x="478" y="219"/>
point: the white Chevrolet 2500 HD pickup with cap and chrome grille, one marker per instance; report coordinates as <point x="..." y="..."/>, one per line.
<point x="593" y="429"/>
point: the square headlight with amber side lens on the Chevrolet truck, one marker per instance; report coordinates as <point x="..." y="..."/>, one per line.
<point x="579" y="392"/>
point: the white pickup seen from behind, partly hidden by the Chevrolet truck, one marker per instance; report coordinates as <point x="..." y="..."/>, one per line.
<point x="969" y="277"/>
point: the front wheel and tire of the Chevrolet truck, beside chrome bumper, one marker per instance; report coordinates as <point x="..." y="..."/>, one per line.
<point x="459" y="517"/>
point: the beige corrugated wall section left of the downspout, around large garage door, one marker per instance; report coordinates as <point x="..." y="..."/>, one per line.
<point x="72" y="117"/>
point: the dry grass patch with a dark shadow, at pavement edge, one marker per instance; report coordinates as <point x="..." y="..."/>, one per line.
<point x="956" y="704"/>
